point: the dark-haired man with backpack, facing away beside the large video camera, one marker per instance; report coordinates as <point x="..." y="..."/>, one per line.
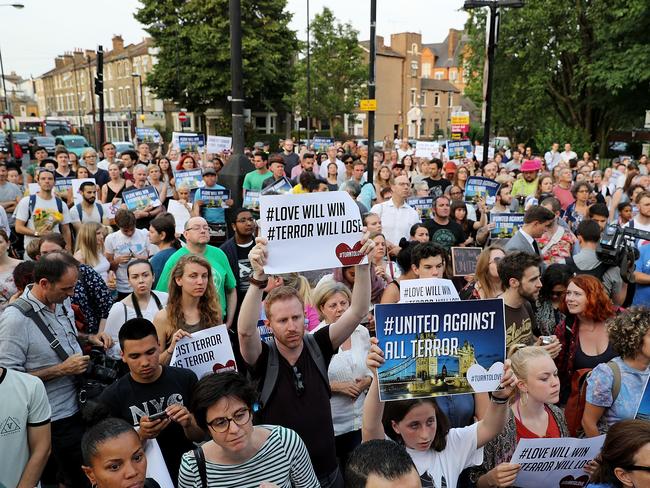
<point x="588" y="262"/>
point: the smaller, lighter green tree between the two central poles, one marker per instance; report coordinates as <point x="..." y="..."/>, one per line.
<point x="338" y="71"/>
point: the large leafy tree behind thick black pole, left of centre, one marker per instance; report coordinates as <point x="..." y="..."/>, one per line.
<point x="193" y="38"/>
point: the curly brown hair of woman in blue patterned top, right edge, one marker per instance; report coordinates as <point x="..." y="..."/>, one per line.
<point x="627" y="330"/>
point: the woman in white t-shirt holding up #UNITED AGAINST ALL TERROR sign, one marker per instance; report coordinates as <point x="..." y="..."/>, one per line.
<point x="440" y="454"/>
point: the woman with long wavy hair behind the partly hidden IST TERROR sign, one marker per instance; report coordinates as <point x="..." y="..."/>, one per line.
<point x="193" y="304"/>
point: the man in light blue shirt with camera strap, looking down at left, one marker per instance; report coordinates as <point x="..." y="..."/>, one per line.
<point x="23" y="347"/>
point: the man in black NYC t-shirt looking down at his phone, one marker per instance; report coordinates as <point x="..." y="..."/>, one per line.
<point x="151" y="388"/>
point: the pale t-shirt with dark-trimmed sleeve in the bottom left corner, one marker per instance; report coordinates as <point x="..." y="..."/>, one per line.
<point x="24" y="404"/>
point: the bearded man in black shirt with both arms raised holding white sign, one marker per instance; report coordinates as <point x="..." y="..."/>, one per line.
<point x="300" y="398"/>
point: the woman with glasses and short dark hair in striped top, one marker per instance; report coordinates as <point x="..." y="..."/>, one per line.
<point x="239" y="453"/>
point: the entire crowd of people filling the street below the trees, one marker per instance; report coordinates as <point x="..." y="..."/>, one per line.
<point x="84" y="292"/>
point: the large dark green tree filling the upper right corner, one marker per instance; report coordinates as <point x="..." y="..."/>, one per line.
<point x="578" y="66"/>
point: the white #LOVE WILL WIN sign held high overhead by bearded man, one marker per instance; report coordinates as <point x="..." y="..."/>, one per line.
<point x="310" y="231"/>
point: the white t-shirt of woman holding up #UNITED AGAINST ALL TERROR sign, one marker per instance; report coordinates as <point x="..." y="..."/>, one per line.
<point x="442" y="469"/>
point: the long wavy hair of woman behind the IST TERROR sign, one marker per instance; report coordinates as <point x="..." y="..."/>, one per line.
<point x="209" y="306"/>
